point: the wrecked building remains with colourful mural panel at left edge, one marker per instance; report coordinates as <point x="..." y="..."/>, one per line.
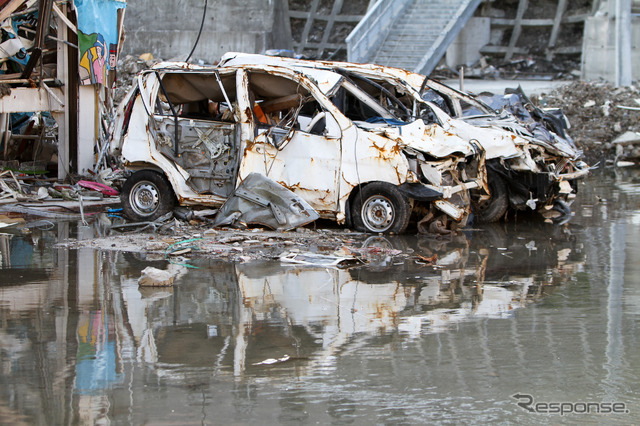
<point x="59" y="61"/>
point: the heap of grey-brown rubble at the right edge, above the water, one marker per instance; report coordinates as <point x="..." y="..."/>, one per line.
<point x="599" y="113"/>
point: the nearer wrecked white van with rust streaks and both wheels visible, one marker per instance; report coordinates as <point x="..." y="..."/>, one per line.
<point x="192" y="134"/>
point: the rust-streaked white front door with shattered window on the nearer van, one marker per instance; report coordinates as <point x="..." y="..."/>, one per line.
<point x="296" y="142"/>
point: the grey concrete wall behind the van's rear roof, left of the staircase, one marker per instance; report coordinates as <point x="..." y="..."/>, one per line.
<point x="169" y="28"/>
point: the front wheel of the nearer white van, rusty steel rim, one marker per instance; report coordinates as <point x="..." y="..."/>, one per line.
<point x="380" y="207"/>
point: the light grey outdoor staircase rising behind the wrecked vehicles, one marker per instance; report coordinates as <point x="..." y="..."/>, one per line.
<point x="414" y="38"/>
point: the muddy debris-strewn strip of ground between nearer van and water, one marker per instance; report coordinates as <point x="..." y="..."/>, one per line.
<point x="179" y="241"/>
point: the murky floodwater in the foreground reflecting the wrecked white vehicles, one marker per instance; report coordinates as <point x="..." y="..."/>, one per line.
<point x="421" y="331"/>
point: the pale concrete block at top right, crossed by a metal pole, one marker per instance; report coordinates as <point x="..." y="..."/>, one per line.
<point x="599" y="48"/>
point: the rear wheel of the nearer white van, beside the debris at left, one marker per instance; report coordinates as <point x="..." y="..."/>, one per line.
<point x="147" y="195"/>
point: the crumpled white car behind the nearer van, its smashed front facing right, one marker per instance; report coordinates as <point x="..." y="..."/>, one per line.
<point x="531" y="160"/>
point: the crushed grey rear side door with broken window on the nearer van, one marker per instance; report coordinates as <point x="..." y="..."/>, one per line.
<point x="194" y="117"/>
